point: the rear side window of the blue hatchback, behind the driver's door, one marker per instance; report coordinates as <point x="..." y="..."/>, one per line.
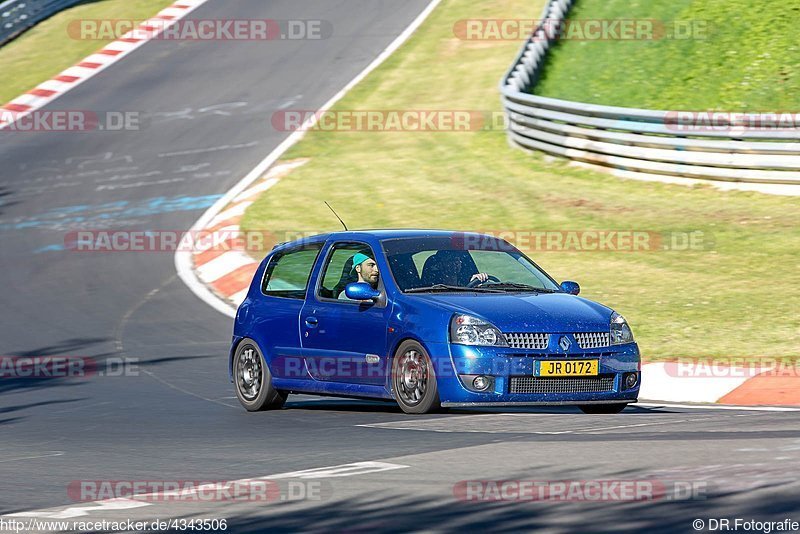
<point x="287" y="273"/>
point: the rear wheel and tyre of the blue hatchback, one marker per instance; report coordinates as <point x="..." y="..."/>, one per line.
<point x="252" y="379"/>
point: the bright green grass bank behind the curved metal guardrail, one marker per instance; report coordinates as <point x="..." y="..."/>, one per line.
<point x="746" y="61"/>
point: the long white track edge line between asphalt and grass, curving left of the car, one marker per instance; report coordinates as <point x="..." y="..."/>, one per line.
<point x="183" y="259"/>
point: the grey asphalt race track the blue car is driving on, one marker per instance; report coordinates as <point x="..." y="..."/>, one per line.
<point x="208" y="108"/>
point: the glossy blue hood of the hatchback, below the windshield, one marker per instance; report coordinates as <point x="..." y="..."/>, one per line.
<point x="529" y="312"/>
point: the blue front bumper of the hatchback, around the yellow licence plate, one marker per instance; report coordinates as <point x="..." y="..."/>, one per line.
<point x="511" y="373"/>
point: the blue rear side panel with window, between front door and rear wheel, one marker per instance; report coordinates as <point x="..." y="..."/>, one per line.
<point x="277" y="310"/>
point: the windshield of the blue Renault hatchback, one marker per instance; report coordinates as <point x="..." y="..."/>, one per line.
<point x="463" y="262"/>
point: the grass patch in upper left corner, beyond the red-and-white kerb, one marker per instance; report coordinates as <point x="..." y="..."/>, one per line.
<point x="47" y="48"/>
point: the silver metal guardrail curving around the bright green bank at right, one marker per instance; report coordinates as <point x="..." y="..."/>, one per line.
<point x="639" y="141"/>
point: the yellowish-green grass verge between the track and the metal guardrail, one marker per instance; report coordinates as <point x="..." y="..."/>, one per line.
<point x="739" y="299"/>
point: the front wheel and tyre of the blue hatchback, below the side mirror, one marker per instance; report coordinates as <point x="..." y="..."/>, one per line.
<point x="414" y="379"/>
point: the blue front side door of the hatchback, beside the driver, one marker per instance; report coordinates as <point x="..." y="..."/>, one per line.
<point x="343" y="340"/>
